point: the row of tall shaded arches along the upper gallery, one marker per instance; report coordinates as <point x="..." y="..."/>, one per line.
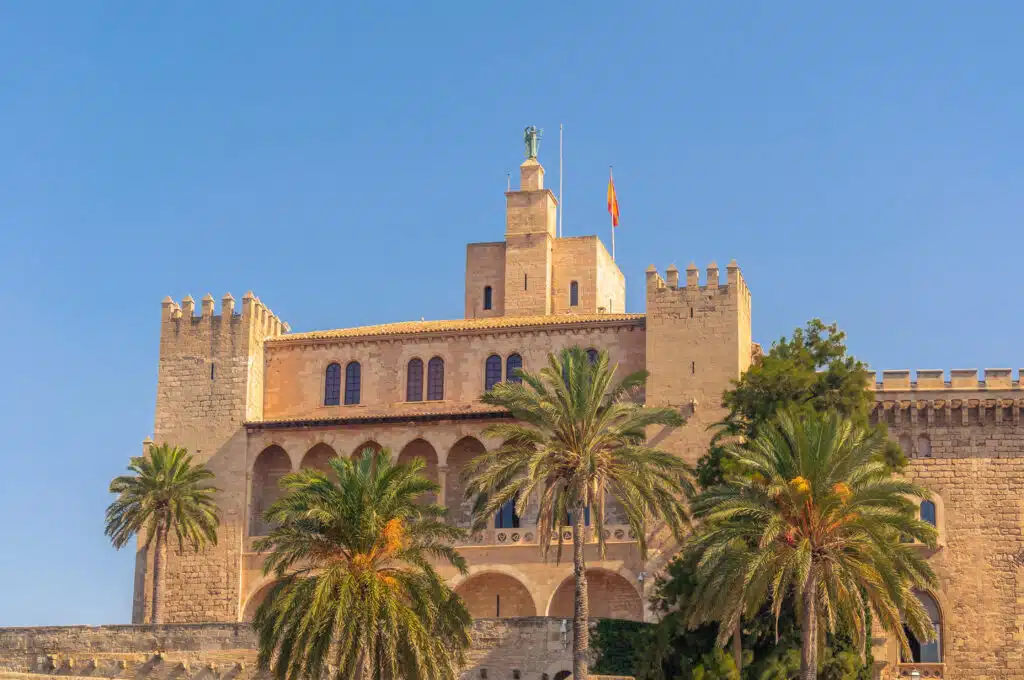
<point x="274" y="463"/>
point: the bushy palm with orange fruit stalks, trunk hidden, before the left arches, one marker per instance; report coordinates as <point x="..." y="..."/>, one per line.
<point x="357" y="591"/>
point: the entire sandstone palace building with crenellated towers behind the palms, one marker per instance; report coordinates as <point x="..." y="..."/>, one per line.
<point x="257" y="402"/>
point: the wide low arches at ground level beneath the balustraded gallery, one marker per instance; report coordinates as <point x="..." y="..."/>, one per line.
<point x="500" y="596"/>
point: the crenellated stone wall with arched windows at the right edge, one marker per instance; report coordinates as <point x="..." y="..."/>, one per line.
<point x="966" y="445"/>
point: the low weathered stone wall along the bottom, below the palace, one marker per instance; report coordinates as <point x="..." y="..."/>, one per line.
<point x="533" y="647"/>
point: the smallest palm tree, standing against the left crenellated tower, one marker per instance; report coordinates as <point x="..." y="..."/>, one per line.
<point x="165" y="494"/>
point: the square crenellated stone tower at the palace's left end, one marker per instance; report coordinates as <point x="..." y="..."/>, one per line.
<point x="210" y="381"/>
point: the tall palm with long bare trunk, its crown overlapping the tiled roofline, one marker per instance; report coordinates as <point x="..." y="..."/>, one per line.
<point x="578" y="439"/>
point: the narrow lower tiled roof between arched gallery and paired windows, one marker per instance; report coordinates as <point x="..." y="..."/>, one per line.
<point x="403" y="413"/>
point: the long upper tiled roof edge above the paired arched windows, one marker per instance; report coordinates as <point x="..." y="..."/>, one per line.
<point x="458" y="325"/>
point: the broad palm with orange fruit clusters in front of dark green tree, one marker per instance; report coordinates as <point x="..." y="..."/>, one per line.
<point x="817" y="514"/>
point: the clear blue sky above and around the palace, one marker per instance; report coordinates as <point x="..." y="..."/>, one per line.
<point x="863" y="164"/>
